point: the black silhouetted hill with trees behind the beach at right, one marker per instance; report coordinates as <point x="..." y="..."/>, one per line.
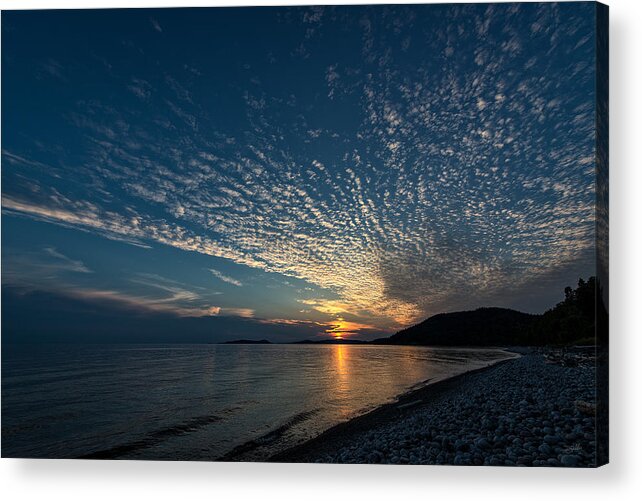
<point x="572" y="321"/>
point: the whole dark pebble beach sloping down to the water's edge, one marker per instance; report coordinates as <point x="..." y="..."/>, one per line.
<point x="530" y="410"/>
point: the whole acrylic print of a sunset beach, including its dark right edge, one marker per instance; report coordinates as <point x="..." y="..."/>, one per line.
<point x="353" y="234"/>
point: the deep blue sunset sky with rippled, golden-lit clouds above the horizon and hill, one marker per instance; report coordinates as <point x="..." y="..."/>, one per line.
<point x="291" y="173"/>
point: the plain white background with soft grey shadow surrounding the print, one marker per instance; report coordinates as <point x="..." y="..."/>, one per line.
<point x="109" y="480"/>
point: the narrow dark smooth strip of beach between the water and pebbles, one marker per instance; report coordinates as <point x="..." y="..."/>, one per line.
<point x="404" y="404"/>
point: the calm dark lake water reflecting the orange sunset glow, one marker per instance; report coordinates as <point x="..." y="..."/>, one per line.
<point x="202" y="401"/>
